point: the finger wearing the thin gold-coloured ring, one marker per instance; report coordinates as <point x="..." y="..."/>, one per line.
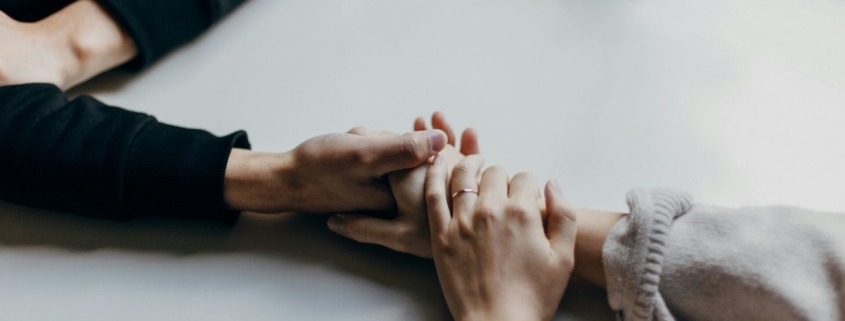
<point x="464" y="177"/>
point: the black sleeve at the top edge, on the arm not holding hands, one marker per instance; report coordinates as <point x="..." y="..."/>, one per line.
<point x="159" y="26"/>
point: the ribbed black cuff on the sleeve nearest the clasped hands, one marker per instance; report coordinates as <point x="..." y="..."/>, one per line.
<point x="178" y="172"/>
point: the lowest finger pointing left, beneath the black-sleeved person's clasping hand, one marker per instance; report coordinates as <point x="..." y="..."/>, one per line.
<point x="364" y="229"/>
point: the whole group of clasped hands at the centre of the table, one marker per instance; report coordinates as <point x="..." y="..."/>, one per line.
<point x="500" y="254"/>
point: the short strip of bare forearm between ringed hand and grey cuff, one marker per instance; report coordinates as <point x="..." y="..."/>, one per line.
<point x="593" y="228"/>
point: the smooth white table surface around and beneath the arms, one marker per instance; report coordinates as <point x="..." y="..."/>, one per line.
<point x="738" y="102"/>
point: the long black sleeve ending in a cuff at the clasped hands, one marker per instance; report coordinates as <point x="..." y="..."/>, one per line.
<point x="86" y="158"/>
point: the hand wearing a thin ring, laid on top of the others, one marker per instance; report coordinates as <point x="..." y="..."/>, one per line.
<point x="493" y="257"/>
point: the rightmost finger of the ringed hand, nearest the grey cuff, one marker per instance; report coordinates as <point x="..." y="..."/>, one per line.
<point x="561" y="229"/>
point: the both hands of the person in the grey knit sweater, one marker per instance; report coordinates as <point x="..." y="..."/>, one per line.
<point x="499" y="255"/>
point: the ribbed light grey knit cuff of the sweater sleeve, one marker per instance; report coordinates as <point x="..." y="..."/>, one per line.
<point x="633" y="253"/>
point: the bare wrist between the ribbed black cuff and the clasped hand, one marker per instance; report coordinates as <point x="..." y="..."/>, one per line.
<point x="258" y="182"/>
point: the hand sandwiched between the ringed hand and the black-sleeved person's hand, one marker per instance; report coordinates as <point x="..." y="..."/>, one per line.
<point x="409" y="231"/>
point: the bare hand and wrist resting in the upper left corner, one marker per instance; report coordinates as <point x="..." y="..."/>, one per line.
<point x="65" y="49"/>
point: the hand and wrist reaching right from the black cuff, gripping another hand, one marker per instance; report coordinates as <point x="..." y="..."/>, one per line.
<point x="329" y="173"/>
